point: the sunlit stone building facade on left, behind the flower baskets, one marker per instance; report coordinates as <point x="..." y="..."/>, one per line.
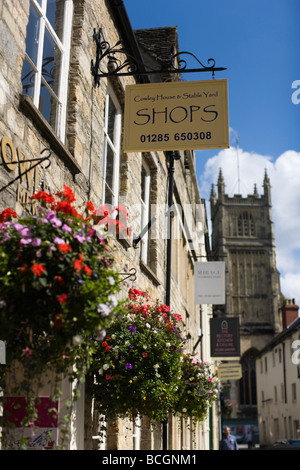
<point x="51" y="107"/>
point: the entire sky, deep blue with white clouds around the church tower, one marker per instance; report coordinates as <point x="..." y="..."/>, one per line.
<point x="258" y="42"/>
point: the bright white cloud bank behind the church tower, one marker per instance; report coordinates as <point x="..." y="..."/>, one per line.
<point x="241" y="171"/>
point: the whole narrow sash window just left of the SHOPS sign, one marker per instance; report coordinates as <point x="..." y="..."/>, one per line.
<point x="111" y="149"/>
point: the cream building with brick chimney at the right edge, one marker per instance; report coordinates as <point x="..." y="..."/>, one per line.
<point x="278" y="385"/>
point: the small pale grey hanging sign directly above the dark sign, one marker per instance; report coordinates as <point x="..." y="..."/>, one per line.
<point x="209" y="282"/>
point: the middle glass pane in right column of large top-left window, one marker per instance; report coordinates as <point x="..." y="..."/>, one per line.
<point x="51" y="62"/>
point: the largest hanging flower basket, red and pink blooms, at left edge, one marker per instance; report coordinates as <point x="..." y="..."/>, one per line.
<point x="57" y="280"/>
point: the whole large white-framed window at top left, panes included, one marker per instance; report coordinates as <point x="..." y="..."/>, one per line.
<point x="46" y="63"/>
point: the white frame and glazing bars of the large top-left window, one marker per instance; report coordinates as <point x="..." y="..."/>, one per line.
<point x="64" y="46"/>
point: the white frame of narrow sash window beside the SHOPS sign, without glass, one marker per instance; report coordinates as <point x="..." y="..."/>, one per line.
<point x="114" y="147"/>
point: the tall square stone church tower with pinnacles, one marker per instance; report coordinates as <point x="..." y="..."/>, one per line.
<point x="243" y="237"/>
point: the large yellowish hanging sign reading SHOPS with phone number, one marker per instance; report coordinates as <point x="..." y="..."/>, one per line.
<point x="176" y="116"/>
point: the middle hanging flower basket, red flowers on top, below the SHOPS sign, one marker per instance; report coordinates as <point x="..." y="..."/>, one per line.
<point x="136" y="368"/>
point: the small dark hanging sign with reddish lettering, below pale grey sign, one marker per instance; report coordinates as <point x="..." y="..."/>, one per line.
<point x="225" y="338"/>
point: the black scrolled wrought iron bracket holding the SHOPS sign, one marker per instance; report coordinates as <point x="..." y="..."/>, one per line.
<point x="117" y="61"/>
